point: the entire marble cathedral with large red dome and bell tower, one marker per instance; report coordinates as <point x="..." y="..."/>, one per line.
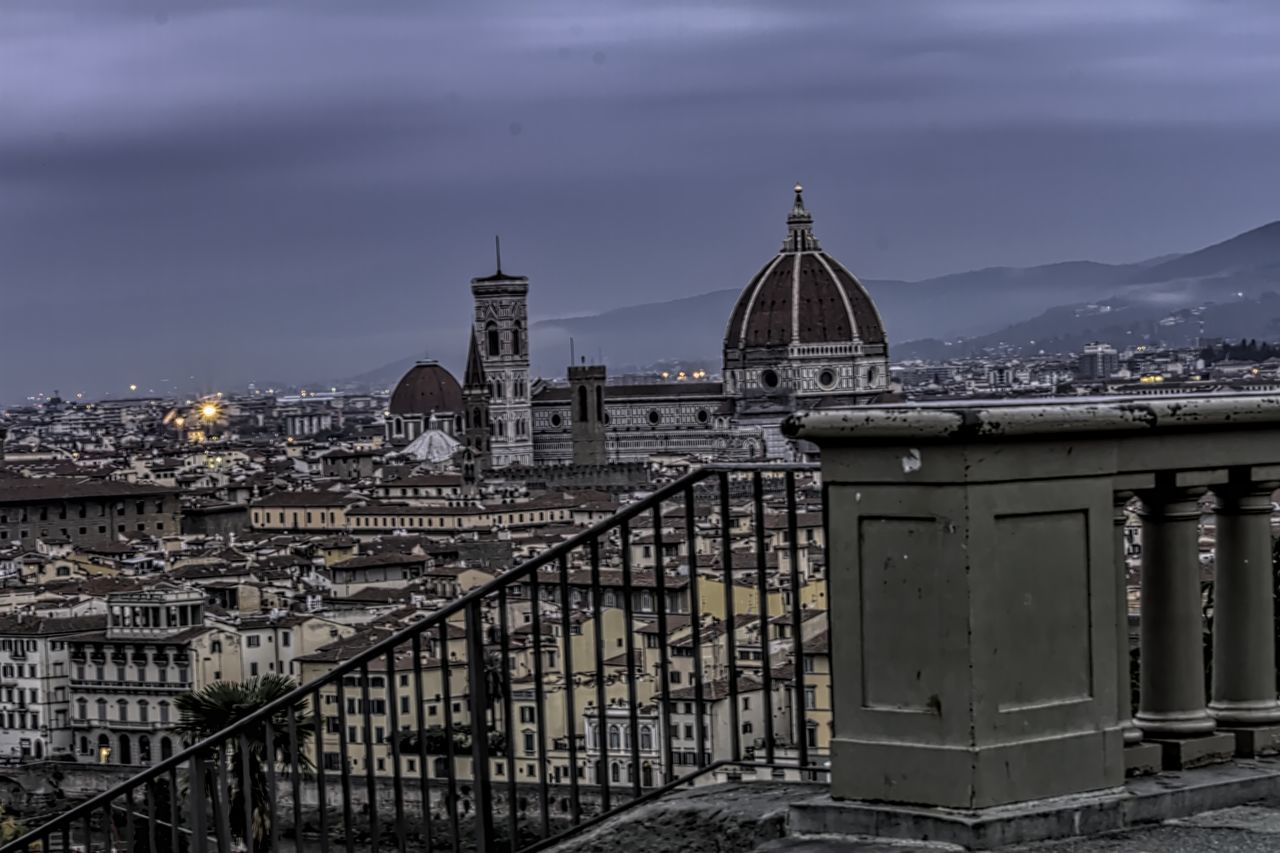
<point x="804" y="335"/>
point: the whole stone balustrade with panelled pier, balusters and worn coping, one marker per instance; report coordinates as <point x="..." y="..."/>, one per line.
<point x="980" y="621"/>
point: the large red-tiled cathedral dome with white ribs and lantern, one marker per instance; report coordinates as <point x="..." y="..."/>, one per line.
<point x="803" y="297"/>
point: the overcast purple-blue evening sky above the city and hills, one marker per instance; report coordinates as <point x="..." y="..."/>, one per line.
<point x="281" y="190"/>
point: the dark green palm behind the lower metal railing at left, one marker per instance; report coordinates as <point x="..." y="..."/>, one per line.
<point x="223" y="704"/>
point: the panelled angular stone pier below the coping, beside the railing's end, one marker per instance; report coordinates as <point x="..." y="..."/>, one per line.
<point x="975" y="621"/>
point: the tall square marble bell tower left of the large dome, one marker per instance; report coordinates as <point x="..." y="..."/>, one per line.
<point x="501" y="335"/>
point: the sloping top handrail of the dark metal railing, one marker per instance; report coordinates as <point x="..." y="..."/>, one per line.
<point x="401" y="637"/>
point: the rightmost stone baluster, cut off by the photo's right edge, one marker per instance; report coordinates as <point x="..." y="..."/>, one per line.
<point x="1245" y="665"/>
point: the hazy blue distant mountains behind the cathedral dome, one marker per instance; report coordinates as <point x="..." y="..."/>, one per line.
<point x="1227" y="290"/>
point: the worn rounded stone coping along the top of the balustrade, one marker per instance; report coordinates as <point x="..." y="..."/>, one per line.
<point x="1048" y="418"/>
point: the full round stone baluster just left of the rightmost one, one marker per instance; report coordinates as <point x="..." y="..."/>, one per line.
<point x="1172" y="709"/>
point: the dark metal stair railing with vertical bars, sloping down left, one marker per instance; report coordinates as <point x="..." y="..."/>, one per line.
<point x="527" y="710"/>
